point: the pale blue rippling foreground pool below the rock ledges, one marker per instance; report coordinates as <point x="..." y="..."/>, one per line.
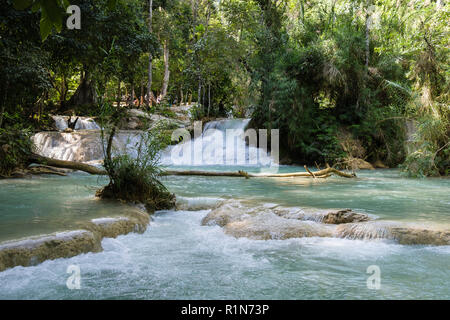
<point x="177" y="258"/>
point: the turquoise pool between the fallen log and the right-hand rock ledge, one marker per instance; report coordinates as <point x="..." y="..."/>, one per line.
<point x="382" y="193"/>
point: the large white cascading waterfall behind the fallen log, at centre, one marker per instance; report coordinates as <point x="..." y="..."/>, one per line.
<point x="222" y="142"/>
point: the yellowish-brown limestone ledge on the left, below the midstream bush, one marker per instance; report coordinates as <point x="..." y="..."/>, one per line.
<point x="34" y="250"/>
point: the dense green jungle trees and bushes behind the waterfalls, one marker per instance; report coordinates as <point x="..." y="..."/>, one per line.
<point x="340" y="79"/>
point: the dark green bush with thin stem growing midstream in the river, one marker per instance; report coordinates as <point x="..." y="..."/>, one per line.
<point x="134" y="178"/>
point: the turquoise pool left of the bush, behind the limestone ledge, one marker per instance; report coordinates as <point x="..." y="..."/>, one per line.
<point x="46" y="204"/>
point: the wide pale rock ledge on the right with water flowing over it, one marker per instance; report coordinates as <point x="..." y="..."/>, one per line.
<point x="270" y="221"/>
